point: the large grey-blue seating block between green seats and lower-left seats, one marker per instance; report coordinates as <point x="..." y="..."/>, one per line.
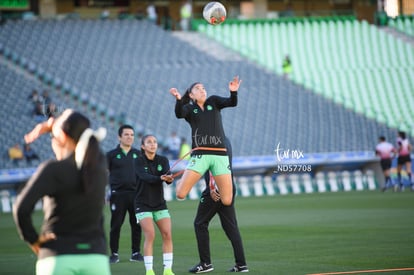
<point x="135" y="81"/>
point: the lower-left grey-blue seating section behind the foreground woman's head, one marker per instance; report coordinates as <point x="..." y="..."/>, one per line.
<point x="17" y="84"/>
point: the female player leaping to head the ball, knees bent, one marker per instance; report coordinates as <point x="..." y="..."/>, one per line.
<point x="209" y="152"/>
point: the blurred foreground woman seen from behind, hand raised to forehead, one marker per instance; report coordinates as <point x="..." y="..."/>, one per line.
<point x="72" y="238"/>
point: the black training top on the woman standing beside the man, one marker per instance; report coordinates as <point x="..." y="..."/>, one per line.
<point x="150" y="194"/>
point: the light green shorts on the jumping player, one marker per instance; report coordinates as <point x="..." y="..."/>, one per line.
<point x="217" y="165"/>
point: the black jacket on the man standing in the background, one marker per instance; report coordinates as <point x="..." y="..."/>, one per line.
<point x="122" y="169"/>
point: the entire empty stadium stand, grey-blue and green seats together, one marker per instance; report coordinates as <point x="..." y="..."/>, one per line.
<point x="350" y="85"/>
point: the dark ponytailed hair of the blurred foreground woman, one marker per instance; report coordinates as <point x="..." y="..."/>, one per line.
<point x="74" y="125"/>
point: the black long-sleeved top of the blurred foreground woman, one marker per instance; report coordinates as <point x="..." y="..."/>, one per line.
<point x="75" y="217"/>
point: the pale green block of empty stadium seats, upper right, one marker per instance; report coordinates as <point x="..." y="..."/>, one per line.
<point x="350" y="62"/>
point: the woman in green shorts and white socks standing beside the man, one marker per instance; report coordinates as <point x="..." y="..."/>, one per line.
<point x="150" y="204"/>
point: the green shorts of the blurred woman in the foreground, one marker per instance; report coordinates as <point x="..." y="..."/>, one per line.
<point x="74" y="264"/>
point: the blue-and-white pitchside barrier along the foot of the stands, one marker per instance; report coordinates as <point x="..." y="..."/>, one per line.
<point x="260" y="176"/>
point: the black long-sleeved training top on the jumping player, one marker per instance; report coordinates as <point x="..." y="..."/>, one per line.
<point x="206" y="125"/>
